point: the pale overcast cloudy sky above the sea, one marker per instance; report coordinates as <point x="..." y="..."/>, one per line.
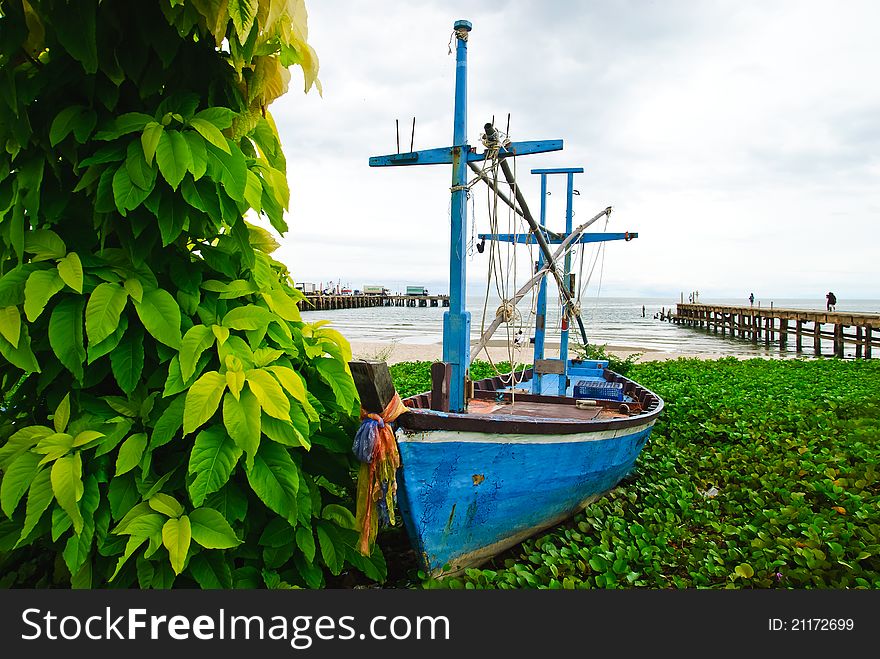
<point x="741" y="140"/>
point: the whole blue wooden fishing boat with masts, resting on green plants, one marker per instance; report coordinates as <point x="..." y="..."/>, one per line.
<point x="478" y="466"/>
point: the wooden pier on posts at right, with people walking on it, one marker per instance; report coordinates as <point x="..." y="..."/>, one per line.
<point x="772" y="325"/>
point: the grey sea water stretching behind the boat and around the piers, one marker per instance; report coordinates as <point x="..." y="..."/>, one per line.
<point x="612" y="321"/>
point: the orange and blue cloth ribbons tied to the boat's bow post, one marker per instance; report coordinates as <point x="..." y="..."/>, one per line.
<point x="375" y="447"/>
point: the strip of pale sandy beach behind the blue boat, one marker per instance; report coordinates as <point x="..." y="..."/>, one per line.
<point x="395" y="352"/>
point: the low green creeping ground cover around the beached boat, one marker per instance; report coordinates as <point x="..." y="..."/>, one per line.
<point x="759" y="474"/>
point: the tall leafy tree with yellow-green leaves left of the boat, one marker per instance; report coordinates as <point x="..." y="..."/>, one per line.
<point x="167" y="417"/>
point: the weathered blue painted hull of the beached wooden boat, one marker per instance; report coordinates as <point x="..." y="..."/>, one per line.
<point x="466" y="496"/>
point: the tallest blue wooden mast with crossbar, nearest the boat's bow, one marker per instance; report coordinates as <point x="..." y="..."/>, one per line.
<point x="456" y="321"/>
